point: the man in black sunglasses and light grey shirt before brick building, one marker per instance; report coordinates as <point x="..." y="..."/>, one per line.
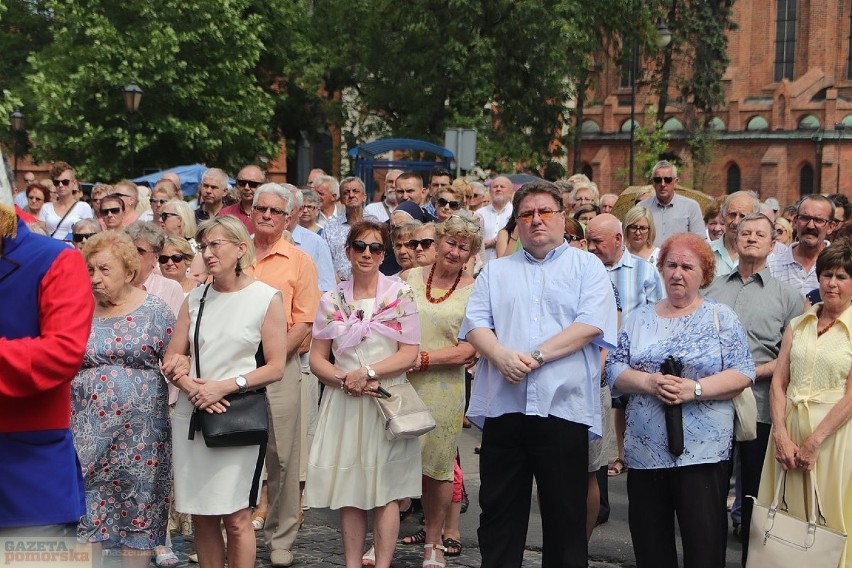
<point x="672" y="213"/>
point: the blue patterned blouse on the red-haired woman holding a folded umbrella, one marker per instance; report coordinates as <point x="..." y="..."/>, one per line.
<point x="705" y="349"/>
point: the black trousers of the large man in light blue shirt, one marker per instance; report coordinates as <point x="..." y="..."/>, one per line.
<point x="515" y="449"/>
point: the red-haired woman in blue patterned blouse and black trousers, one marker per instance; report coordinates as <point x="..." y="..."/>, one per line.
<point x="710" y="342"/>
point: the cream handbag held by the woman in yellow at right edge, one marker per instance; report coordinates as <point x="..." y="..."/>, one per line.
<point x="778" y="539"/>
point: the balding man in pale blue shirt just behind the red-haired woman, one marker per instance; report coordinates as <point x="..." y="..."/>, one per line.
<point x="637" y="280"/>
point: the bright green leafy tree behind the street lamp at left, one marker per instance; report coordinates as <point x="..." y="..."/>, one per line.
<point x="196" y="63"/>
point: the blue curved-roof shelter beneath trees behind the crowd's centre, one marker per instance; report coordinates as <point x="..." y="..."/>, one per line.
<point x="366" y="162"/>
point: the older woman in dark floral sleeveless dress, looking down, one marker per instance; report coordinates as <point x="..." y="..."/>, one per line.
<point x="120" y="416"/>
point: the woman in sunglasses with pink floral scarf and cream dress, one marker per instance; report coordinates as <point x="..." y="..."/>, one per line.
<point x="370" y="325"/>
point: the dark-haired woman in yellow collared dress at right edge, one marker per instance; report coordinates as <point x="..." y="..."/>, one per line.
<point x="811" y="401"/>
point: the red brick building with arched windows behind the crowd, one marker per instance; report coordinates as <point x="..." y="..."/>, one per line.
<point x="787" y="122"/>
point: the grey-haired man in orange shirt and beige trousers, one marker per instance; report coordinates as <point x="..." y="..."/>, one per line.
<point x="283" y="266"/>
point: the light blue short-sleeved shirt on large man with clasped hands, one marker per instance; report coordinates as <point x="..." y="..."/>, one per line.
<point x="525" y="302"/>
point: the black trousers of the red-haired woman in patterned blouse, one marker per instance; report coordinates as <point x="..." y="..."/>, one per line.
<point x="696" y="495"/>
